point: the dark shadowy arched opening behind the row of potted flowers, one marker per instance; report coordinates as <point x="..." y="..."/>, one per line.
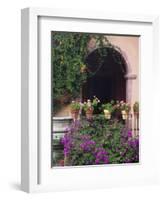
<point x="106" y="80"/>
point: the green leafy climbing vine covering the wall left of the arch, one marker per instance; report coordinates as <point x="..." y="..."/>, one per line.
<point x="69" y="68"/>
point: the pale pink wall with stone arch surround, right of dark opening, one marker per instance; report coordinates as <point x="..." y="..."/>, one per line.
<point x="131" y="75"/>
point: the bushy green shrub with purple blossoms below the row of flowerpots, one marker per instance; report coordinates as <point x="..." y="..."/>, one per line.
<point x="99" y="141"/>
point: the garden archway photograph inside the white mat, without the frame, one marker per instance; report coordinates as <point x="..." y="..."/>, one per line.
<point x="95" y="99"/>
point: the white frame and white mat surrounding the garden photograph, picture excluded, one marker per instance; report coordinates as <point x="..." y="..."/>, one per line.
<point x="36" y="173"/>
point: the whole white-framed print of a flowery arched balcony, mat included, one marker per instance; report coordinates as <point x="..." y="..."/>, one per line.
<point x="87" y="119"/>
